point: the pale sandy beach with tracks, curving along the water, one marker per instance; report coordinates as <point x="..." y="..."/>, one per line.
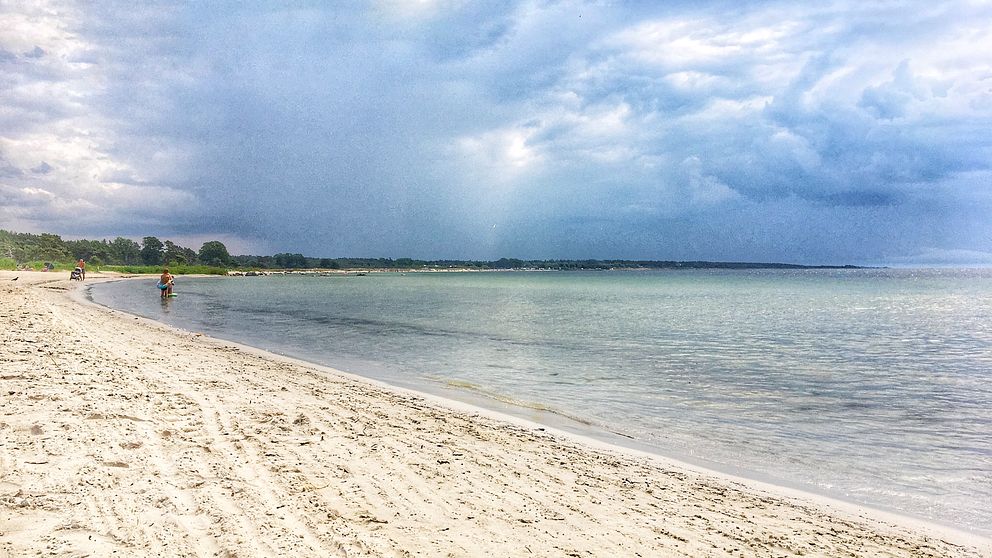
<point x="122" y="437"/>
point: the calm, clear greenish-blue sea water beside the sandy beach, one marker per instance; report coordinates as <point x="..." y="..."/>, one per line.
<point x="873" y="386"/>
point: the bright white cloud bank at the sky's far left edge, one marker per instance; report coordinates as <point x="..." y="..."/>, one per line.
<point x="65" y="147"/>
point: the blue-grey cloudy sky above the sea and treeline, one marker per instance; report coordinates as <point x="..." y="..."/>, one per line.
<point x="817" y="132"/>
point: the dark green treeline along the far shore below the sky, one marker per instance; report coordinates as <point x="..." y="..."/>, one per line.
<point x="25" y="248"/>
